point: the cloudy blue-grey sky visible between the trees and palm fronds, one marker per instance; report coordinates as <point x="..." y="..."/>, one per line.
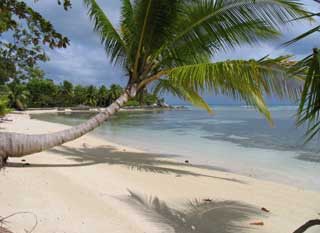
<point x="85" y="62"/>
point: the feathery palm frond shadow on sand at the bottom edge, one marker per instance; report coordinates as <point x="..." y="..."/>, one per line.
<point x="197" y="216"/>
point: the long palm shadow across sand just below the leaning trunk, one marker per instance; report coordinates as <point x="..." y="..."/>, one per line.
<point x="147" y="162"/>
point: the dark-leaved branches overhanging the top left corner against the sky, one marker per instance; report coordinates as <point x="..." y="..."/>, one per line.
<point x="27" y="34"/>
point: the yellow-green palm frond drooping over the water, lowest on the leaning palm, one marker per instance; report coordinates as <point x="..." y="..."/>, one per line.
<point x="244" y="80"/>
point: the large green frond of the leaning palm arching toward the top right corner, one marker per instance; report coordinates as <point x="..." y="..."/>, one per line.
<point x="212" y="25"/>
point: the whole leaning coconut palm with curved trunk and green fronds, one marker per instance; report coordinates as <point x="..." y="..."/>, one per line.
<point x="176" y="40"/>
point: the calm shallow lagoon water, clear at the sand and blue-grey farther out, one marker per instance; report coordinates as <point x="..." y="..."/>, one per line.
<point x="235" y="137"/>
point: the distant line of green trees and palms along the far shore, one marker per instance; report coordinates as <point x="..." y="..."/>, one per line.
<point x="44" y="93"/>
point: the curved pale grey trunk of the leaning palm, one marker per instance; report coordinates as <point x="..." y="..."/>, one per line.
<point x="18" y="145"/>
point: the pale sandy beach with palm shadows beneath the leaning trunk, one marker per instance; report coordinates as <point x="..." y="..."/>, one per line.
<point x="93" y="185"/>
